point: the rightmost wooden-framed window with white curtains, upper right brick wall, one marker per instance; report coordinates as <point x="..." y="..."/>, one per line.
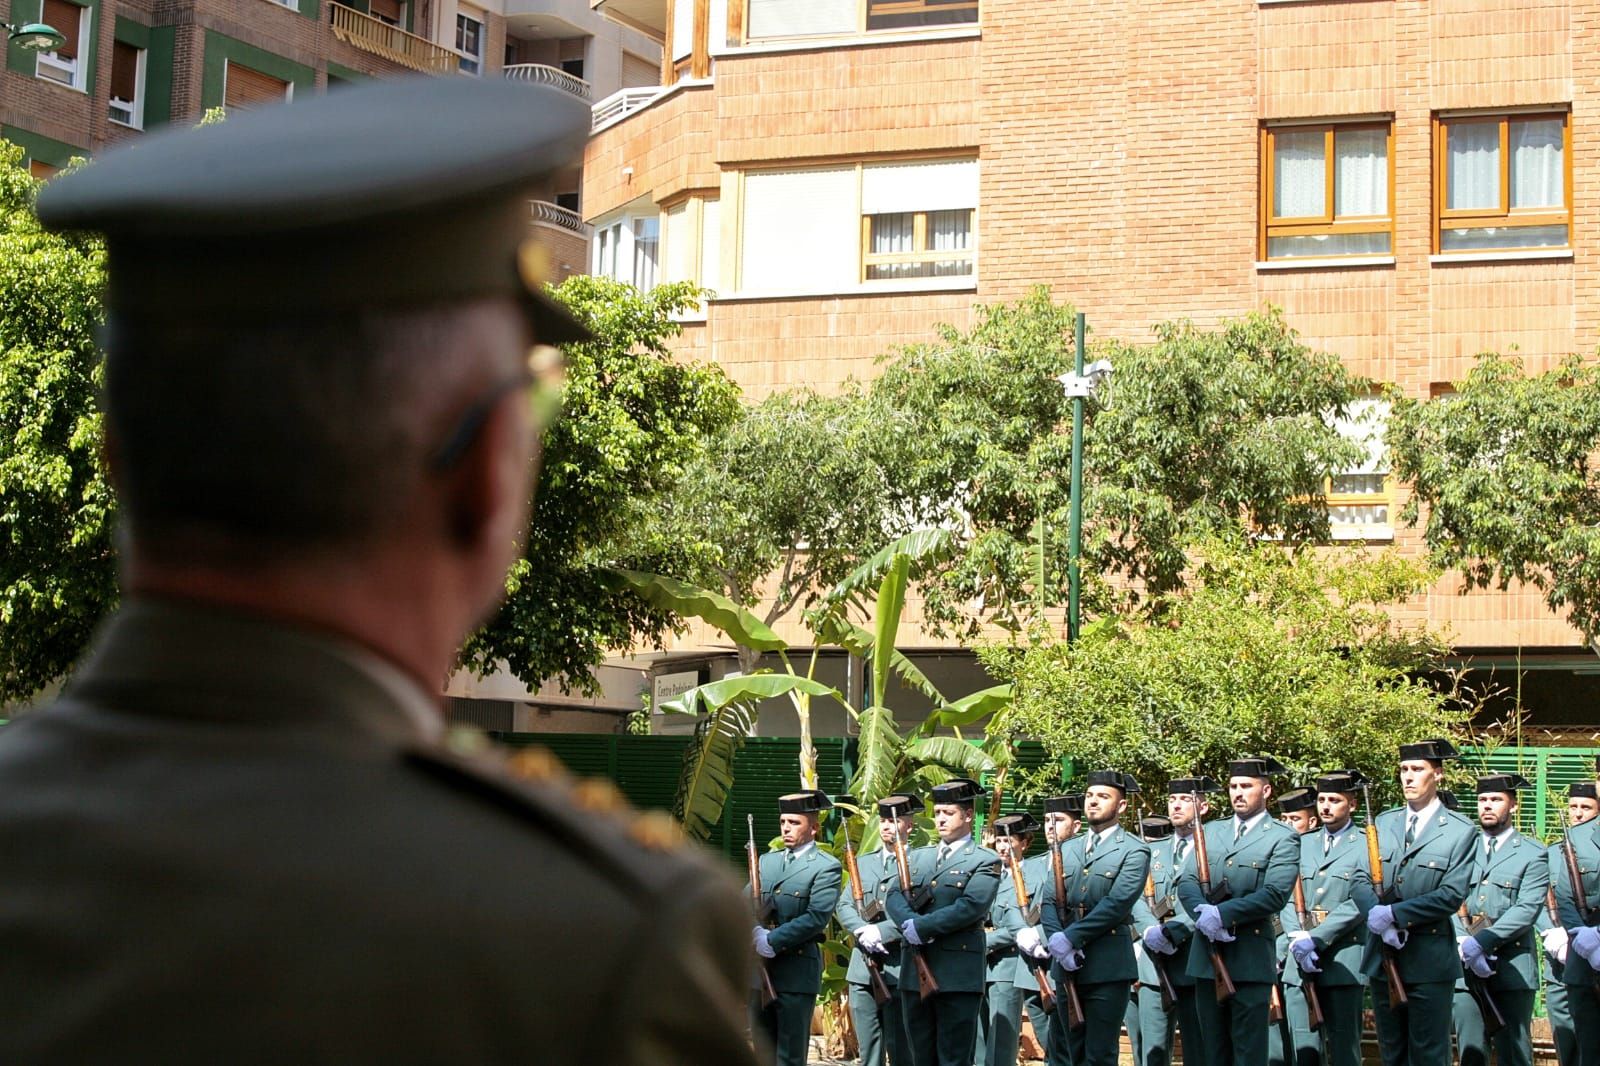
<point x="1503" y="183"/>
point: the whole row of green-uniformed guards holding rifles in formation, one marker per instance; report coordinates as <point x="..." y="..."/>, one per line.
<point x="1257" y="940"/>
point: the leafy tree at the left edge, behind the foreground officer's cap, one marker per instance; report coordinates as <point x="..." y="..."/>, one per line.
<point x="57" y="511"/>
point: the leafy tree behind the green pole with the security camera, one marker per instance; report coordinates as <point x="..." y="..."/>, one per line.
<point x="1199" y="435"/>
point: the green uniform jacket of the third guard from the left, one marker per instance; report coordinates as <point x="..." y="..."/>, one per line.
<point x="951" y="924"/>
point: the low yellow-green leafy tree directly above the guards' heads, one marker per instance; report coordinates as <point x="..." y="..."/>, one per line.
<point x="1270" y="651"/>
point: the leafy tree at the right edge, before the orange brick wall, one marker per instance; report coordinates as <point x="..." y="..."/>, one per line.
<point x="1508" y="473"/>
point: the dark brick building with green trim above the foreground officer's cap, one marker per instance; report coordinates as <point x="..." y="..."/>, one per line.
<point x="130" y="66"/>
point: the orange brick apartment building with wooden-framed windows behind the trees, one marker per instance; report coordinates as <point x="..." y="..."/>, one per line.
<point x="1414" y="183"/>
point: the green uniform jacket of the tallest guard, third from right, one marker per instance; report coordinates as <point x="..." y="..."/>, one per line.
<point x="1425" y="884"/>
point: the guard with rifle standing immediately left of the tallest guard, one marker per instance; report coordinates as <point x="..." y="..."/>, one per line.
<point x="1327" y="952"/>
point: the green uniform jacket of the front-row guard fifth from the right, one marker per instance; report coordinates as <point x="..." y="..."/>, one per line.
<point x="1260" y="876"/>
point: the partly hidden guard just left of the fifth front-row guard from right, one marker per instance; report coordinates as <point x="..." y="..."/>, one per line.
<point x="1167" y="929"/>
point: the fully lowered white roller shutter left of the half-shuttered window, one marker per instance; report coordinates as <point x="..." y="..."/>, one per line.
<point x="802" y="231"/>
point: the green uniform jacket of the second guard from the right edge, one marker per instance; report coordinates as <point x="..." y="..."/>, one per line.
<point x="1510" y="891"/>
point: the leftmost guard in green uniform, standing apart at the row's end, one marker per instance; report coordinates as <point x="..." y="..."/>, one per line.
<point x="799" y="892"/>
